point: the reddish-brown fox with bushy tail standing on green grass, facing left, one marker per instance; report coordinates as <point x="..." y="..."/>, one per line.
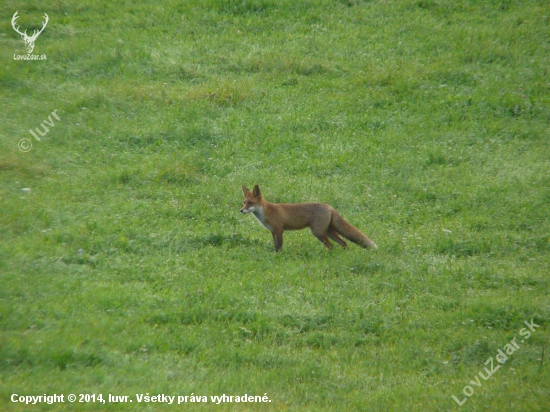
<point x="323" y="220"/>
